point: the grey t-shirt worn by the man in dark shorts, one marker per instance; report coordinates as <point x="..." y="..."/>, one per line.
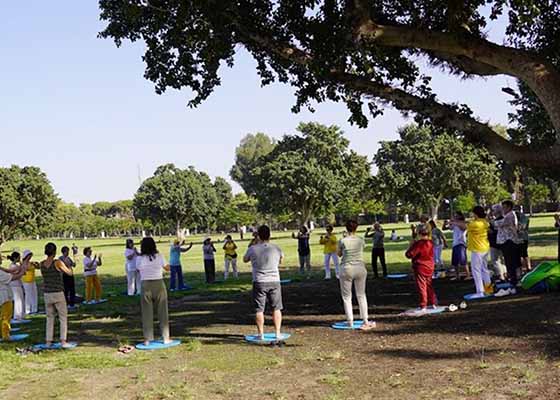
<point x="265" y="259"/>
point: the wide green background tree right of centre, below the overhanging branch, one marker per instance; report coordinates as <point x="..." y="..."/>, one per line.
<point x="423" y="168"/>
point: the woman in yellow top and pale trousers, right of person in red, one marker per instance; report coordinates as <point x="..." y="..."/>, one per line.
<point x="479" y="246"/>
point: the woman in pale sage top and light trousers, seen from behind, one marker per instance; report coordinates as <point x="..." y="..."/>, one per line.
<point x="353" y="271"/>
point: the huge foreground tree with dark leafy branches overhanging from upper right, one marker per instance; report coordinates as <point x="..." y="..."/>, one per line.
<point x="365" y="53"/>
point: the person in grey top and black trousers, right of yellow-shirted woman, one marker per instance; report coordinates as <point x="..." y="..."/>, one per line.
<point x="509" y="242"/>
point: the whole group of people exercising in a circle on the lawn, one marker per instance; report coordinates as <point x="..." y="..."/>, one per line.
<point x="499" y="233"/>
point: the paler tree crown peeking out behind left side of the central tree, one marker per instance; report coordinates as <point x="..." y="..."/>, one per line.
<point x="247" y="155"/>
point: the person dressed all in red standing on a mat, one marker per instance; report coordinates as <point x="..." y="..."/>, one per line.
<point x="421" y="252"/>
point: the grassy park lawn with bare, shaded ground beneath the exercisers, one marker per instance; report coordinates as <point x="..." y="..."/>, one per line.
<point x="499" y="349"/>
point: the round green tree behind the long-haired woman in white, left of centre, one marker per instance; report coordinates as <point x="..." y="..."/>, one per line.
<point x="177" y="198"/>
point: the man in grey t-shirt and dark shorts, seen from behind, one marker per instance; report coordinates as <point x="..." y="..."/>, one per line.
<point x="265" y="259"/>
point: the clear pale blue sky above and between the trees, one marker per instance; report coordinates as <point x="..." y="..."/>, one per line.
<point x="80" y="109"/>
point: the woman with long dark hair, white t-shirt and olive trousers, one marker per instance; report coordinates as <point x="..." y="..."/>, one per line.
<point x="151" y="264"/>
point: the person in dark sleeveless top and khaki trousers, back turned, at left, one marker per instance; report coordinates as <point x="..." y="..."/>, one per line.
<point x="53" y="289"/>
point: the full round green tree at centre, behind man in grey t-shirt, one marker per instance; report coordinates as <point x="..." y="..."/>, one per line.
<point x="309" y="173"/>
